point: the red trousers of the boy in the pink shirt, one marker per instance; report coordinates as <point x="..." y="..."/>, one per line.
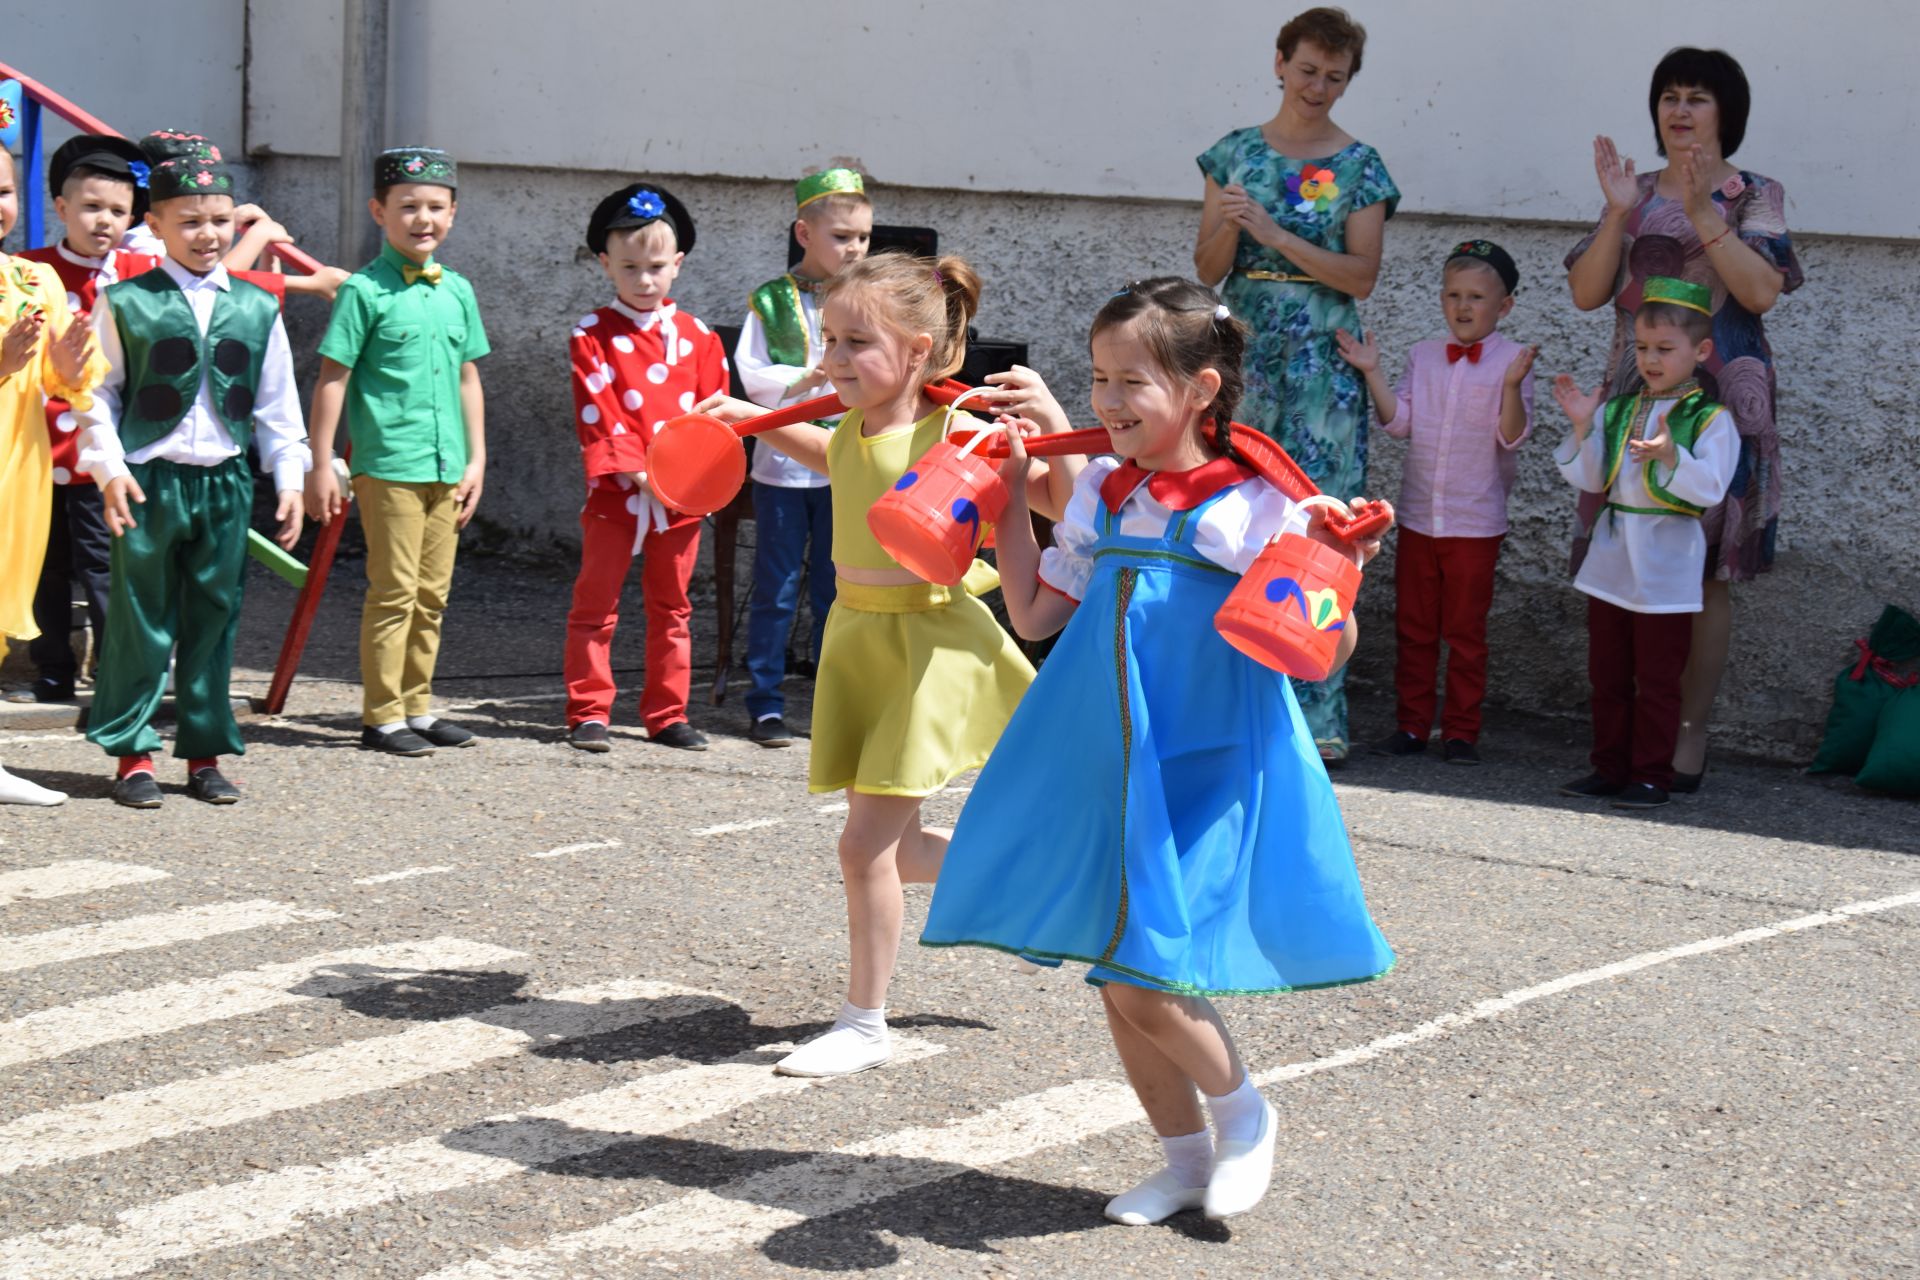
<point x="1443" y="592"/>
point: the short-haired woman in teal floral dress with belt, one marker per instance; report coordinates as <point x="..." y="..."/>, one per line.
<point x="1291" y="233"/>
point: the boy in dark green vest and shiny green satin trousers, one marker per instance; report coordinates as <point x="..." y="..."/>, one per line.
<point x="199" y="367"/>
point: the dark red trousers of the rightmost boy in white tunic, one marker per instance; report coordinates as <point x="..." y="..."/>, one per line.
<point x="1635" y="663"/>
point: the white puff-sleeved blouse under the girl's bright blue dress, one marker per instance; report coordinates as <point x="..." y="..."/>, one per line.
<point x="1232" y="533"/>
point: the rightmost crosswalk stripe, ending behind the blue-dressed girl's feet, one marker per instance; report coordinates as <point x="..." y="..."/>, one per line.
<point x="750" y="1210"/>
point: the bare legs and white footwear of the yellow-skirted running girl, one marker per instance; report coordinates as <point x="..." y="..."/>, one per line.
<point x="880" y="849"/>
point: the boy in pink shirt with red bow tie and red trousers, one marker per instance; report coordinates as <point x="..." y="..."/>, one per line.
<point x="1466" y="404"/>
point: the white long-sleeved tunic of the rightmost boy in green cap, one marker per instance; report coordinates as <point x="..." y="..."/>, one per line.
<point x="1650" y="565"/>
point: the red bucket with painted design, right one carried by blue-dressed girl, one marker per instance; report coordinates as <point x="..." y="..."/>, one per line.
<point x="1291" y="607"/>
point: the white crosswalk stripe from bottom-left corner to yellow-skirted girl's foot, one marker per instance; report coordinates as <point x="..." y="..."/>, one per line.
<point x="276" y="1204"/>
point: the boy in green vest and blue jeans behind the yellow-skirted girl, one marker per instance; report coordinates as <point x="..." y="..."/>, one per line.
<point x="779" y="362"/>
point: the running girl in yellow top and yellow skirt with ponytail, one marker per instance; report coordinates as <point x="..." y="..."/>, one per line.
<point x="917" y="680"/>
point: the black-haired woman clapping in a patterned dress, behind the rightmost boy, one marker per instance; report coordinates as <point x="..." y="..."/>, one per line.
<point x="1708" y="222"/>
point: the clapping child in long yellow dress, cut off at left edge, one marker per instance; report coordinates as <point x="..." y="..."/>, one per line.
<point x="34" y="366"/>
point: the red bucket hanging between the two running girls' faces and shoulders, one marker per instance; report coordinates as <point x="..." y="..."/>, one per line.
<point x="936" y="517"/>
